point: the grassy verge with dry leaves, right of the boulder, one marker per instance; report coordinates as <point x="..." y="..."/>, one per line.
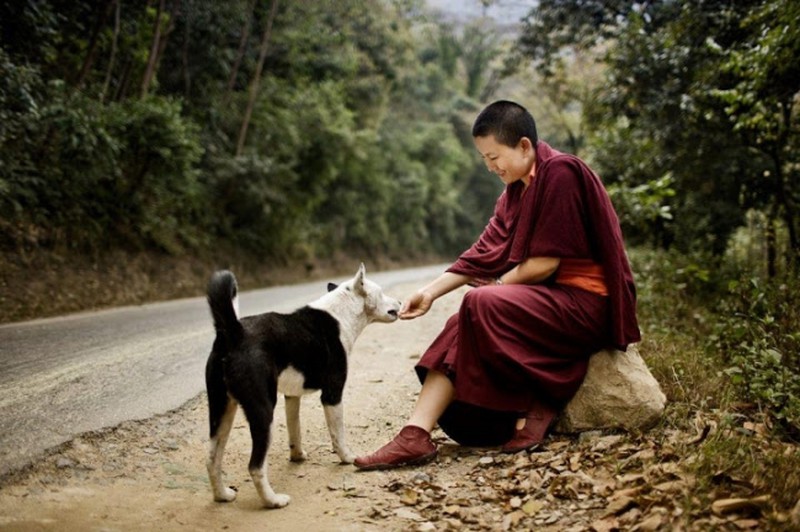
<point x="743" y="447"/>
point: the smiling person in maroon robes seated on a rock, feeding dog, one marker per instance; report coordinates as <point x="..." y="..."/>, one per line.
<point x="552" y="285"/>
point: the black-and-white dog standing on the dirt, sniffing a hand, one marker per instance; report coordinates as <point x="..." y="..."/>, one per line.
<point x="257" y="357"/>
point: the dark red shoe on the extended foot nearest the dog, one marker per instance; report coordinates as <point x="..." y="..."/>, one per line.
<point x="412" y="445"/>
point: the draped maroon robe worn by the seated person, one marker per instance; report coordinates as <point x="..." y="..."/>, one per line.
<point x="513" y="347"/>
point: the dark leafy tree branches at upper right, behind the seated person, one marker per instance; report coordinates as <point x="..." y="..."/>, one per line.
<point x="703" y="91"/>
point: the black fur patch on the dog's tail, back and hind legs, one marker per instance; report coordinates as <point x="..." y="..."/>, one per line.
<point x="249" y="354"/>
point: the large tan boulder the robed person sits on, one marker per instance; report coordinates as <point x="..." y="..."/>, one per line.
<point x="618" y="392"/>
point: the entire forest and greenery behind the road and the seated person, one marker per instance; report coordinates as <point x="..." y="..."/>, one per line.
<point x="145" y="143"/>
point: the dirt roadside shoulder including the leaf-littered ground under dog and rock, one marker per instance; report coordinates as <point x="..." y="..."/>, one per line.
<point x="150" y="474"/>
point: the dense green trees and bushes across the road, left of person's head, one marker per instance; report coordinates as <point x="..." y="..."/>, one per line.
<point x="356" y="141"/>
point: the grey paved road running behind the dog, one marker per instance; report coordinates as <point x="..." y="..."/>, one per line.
<point x="60" y="377"/>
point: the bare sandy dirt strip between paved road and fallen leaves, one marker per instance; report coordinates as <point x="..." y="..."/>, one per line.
<point x="150" y="475"/>
